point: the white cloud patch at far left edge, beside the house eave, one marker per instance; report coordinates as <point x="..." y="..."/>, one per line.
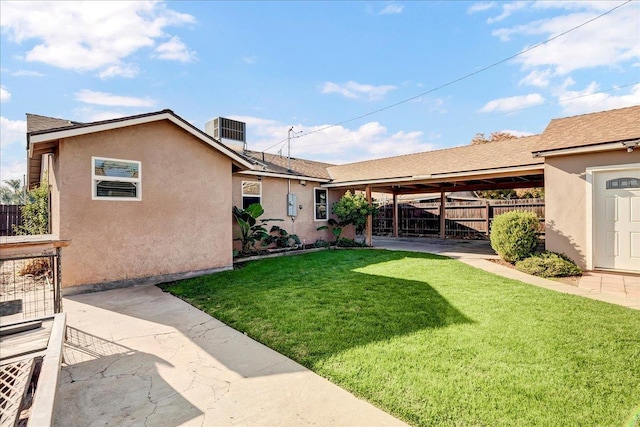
<point x="13" y="162"/>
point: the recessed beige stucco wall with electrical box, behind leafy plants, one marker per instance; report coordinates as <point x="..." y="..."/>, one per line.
<point x="274" y="202"/>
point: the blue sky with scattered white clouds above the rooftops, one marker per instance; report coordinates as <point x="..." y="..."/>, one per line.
<point x="313" y="64"/>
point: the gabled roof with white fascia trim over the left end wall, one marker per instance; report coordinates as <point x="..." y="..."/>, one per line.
<point x="44" y="132"/>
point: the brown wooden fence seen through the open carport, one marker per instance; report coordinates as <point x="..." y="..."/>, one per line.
<point x="471" y="219"/>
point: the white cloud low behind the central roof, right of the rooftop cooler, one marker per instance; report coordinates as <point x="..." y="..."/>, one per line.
<point x="336" y="144"/>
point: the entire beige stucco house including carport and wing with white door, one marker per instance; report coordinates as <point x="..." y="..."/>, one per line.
<point x="149" y="197"/>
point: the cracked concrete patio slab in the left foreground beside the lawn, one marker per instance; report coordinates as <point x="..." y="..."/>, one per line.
<point x="141" y="357"/>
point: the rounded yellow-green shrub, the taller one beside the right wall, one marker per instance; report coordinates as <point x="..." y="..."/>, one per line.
<point x="514" y="235"/>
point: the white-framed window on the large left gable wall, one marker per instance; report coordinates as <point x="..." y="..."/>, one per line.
<point x="115" y="179"/>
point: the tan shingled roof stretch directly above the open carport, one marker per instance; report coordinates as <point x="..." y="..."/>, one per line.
<point x="511" y="153"/>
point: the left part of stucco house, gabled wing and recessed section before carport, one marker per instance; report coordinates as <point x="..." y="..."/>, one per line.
<point x="149" y="197"/>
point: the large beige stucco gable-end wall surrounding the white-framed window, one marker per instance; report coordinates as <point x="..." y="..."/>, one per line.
<point x="182" y="223"/>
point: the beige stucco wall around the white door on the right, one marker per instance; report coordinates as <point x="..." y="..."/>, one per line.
<point x="566" y="199"/>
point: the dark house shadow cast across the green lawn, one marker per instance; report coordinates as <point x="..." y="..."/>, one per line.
<point x="311" y="307"/>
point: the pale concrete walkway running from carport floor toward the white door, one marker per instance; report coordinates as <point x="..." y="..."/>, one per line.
<point x="613" y="288"/>
